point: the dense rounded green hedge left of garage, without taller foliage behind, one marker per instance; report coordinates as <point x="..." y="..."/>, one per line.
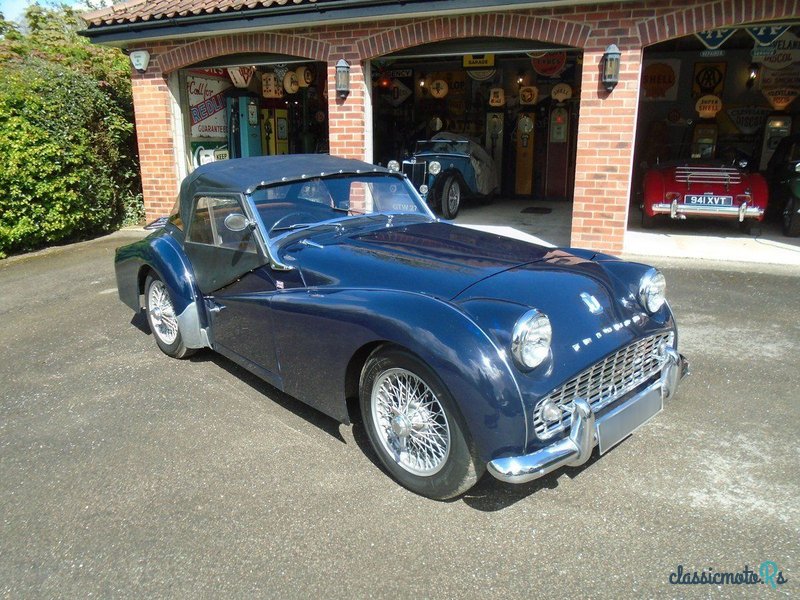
<point x="63" y="170"/>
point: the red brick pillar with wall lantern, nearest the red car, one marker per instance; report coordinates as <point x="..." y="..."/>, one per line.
<point x="606" y="130"/>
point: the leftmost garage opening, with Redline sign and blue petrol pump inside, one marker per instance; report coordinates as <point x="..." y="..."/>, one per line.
<point x="253" y="105"/>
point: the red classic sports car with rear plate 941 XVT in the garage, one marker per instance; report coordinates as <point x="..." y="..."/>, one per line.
<point x="704" y="188"/>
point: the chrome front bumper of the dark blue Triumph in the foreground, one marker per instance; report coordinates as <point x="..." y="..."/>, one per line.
<point x="584" y="435"/>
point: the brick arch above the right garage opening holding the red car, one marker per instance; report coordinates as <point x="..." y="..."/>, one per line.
<point x="713" y="15"/>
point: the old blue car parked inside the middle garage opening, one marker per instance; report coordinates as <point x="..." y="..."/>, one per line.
<point x="447" y="169"/>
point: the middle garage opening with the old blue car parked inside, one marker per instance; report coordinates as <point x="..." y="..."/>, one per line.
<point x="496" y="118"/>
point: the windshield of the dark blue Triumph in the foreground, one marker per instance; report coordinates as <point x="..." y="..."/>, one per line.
<point x="318" y="201"/>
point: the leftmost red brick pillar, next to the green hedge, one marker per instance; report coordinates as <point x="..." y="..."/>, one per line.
<point x="153" y="110"/>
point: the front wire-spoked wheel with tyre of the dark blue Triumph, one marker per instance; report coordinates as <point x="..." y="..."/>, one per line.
<point x="414" y="428"/>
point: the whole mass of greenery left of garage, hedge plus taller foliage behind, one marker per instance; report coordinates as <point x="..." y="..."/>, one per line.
<point x="67" y="161"/>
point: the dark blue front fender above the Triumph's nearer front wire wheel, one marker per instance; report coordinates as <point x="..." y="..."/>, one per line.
<point x="319" y="331"/>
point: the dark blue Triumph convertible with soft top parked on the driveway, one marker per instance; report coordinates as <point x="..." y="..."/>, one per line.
<point x="331" y="279"/>
